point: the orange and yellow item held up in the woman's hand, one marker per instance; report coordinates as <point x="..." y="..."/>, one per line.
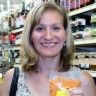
<point x="59" y="84"/>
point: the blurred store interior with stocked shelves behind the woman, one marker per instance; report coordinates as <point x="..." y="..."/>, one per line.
<point x="82" y="14"/>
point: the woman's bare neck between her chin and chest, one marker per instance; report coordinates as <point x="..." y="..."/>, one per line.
<point x="45" y="65"/>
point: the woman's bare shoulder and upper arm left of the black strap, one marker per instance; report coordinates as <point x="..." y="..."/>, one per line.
<point x="7" y="82"/>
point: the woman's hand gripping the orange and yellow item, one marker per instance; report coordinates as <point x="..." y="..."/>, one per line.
<point x="76" y="92"/>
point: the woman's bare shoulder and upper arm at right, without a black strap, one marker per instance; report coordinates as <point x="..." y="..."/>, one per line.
<point x="88" y="84"/>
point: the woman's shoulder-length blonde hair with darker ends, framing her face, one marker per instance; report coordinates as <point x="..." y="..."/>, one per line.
<point x="28" y="52"/>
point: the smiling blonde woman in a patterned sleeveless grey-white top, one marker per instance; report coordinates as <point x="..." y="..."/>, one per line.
<point x="47" y="47"/>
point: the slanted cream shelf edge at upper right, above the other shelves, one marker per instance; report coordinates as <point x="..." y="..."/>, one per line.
<point x="83" y="9"/>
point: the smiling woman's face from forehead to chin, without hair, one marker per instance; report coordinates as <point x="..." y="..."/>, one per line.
<point x="49" y="35"/>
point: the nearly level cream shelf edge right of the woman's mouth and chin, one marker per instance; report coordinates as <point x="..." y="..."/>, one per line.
<point x="87" y="41"/>
